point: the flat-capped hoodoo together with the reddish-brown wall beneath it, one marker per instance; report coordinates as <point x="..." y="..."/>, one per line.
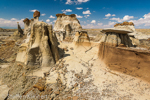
<point x="113" y="51"/>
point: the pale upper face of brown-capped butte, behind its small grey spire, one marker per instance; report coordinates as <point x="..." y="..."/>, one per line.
<point x="63" y="20"/>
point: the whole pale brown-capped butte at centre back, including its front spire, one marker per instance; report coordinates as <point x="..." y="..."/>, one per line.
<point x="66" y="25"/>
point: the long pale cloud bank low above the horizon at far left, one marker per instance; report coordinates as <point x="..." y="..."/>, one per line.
<point x="11" y="23"/>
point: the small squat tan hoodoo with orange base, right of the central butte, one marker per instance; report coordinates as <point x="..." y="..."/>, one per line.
<point x="81" y="38"/>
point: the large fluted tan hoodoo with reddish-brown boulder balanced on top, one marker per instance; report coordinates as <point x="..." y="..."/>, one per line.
<point x="40" y="47"/>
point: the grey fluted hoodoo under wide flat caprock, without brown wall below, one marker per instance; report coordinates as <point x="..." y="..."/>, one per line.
<point x="116" y="37"/>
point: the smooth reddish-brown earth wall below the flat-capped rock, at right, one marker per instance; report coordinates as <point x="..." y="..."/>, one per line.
<point x="128" y="61"/>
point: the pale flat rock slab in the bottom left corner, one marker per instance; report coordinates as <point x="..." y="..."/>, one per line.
<point x="3" y="92"/>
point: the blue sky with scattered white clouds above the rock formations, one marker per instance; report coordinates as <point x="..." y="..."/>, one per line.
<point x="91" y="13"/>
